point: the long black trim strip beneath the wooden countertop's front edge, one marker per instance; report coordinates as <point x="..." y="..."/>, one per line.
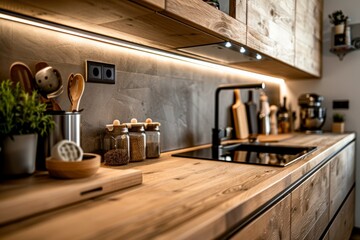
<point x="272" y="202"/>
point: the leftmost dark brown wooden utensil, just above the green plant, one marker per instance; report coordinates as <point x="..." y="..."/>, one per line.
<point x="20" y="72"/>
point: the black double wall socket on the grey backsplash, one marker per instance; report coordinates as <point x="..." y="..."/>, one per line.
<point x="98" y="72"/>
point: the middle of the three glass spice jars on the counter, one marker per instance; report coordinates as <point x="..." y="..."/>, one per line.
<point x="137" y="141"/>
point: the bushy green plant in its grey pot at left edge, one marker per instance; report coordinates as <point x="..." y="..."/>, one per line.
<point x="22" y="118"/>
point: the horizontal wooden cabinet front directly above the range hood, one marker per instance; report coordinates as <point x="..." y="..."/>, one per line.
<point x="203" y="16"/>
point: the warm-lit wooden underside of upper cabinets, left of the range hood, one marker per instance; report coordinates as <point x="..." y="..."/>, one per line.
<point x="119" y="19"/>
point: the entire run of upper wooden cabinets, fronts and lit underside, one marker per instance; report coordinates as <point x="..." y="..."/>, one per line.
<point x="289" y="44"/>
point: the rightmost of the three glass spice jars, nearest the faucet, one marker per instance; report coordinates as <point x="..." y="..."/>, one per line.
<point x="152" y="139"/>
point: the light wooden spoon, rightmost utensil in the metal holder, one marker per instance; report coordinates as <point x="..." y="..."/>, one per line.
<point x="76" y="87"/>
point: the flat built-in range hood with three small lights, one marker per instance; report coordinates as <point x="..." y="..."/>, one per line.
<point x="224" y="53"/>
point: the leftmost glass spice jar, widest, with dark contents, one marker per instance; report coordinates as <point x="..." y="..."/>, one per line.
<point x="118" y="148"/>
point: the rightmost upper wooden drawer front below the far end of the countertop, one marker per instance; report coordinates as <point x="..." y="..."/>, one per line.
<point x="342" y="177"/>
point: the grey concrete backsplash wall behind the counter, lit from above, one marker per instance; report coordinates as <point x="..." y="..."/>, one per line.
<point x="178" y="94"/>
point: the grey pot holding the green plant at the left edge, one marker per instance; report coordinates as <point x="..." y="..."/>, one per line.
<point x="18" y="155"/>
